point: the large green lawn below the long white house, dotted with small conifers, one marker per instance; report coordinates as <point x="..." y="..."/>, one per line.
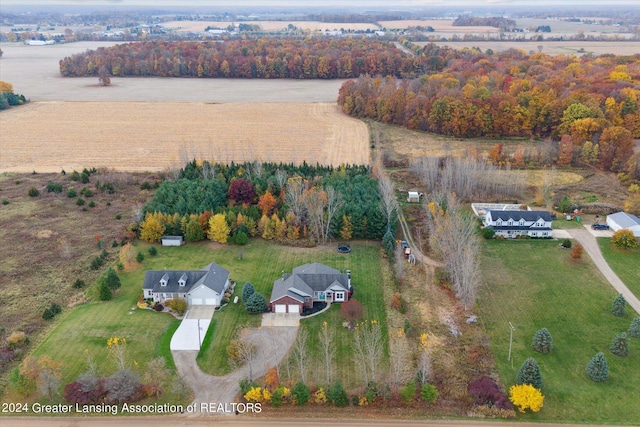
<point x="534" y="284"/>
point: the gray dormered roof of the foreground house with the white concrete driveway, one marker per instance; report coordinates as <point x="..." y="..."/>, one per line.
<point x="212" y="276"/>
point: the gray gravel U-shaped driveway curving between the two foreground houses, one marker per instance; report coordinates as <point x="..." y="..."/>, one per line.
<point x="272" y="343"/>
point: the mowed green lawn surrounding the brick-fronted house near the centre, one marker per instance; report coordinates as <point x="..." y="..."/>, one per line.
<point x="262" y="263"/>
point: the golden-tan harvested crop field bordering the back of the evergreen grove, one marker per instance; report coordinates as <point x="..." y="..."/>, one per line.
<point x="147" y="136"/>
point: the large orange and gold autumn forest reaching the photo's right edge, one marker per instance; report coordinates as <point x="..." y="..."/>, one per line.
<point x="472" y="94"/>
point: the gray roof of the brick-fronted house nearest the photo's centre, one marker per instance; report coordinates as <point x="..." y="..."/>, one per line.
<point x="307" y="279"/>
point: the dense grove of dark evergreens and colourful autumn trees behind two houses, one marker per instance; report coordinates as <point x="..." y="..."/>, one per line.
<point x="230" y="203"/>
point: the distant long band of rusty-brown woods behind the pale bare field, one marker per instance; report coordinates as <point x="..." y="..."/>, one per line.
<point x="269" y="58"/>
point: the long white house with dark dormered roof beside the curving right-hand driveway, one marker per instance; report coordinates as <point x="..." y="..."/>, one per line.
<point x="511" y="224"/>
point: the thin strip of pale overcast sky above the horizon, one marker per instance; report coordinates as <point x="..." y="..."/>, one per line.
<point x="345" y="4"/>
